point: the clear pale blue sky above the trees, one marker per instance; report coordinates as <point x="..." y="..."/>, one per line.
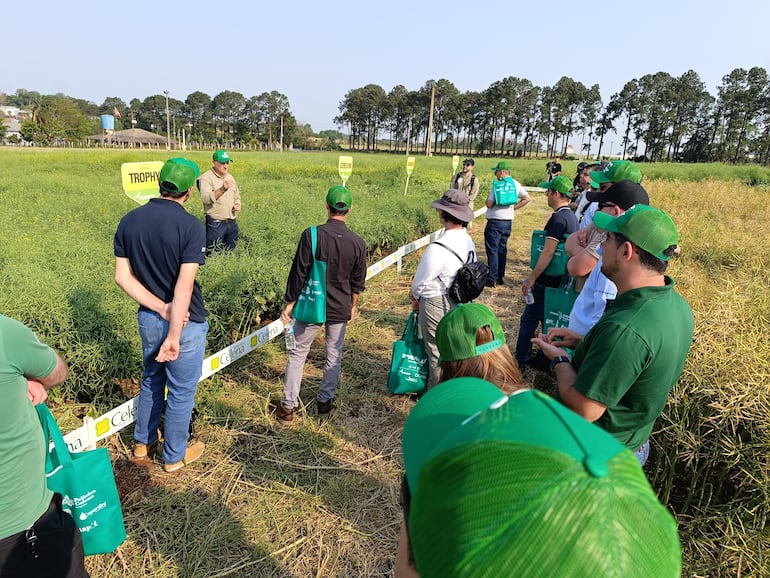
<point x="315" y="51"/>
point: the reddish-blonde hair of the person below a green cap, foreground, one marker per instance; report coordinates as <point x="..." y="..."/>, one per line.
<point x="496" y="366"/>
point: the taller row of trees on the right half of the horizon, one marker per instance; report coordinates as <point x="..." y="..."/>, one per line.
<point x="657" y="117"/>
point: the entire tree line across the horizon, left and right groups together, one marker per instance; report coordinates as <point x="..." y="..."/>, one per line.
<point x="656" y="117"/>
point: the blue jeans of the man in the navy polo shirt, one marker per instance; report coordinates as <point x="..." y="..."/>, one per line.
<point x="179" y="376"/>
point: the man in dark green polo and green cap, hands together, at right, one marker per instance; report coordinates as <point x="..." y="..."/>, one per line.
<point x="624" y="368"/>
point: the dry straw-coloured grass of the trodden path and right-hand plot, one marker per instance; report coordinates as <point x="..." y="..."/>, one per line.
<point x="321" y="499"/>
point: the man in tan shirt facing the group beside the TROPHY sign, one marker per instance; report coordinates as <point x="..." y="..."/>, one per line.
<point x="221" y="202"/>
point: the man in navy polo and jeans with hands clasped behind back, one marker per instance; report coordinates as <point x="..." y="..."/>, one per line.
<point x="159" y="248"/>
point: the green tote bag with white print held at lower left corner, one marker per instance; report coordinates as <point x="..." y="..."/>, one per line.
<point x="87" y="485"/>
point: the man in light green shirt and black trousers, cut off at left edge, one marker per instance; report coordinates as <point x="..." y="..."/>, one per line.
<point x="36" y="537"/>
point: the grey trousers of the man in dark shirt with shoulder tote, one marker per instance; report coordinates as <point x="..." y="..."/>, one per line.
<point x="304" y="334"/>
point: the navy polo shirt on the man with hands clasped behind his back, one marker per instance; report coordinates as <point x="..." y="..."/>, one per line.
<point x="156" y="239"/>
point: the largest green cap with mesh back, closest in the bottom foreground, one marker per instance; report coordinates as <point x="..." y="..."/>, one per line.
<point x="527" y="487"/>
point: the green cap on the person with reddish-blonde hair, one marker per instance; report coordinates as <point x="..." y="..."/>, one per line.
<point x="456" y="332"/>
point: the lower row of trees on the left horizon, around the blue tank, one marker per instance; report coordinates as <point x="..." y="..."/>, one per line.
<point x="229" y="118"/>
